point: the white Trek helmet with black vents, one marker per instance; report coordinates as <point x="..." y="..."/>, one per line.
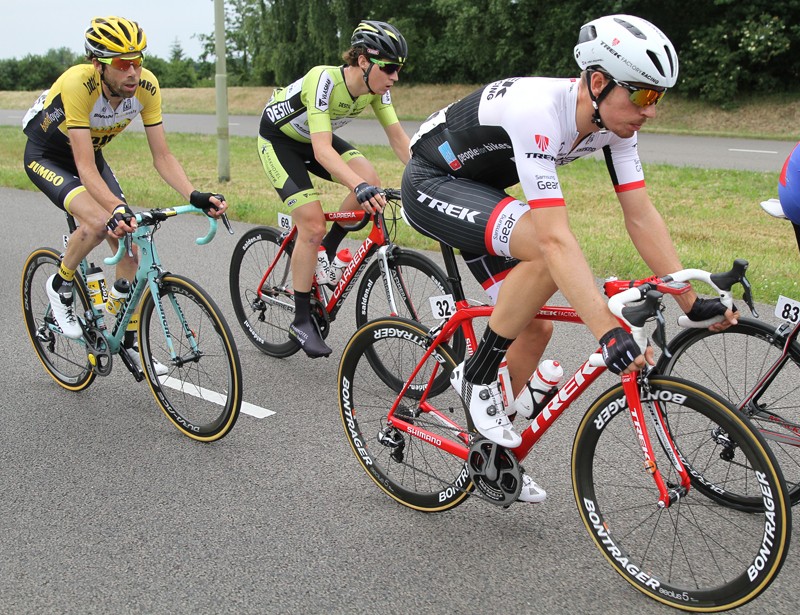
<point x="628" y="48"/>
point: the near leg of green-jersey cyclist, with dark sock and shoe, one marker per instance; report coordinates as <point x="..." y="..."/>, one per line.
<point x="286" y="165"/>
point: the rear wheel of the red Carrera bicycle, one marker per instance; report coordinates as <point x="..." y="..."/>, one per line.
<point x="264" y="322"/>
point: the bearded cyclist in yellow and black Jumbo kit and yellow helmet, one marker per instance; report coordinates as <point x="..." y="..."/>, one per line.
<point x="67" y="128"/>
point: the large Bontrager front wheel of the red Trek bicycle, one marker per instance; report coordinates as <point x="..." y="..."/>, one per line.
<point x="697" y="554"/>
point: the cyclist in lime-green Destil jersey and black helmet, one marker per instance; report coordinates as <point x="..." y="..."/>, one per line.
<point x="296" y="137"/>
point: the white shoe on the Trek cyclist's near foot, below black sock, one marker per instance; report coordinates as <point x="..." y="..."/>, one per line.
<point x="485" y="404"/>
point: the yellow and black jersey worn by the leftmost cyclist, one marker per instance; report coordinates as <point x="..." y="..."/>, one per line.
<point x="76" y="101"/>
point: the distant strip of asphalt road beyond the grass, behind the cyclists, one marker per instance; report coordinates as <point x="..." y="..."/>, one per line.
<point x="704" y="152"/>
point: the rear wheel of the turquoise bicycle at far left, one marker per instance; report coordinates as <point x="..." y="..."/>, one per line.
<point x="64" y="359"/>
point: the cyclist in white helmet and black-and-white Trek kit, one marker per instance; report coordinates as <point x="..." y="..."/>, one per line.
<point x="519" y="130"/>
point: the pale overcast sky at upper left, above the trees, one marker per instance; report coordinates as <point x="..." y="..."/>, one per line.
<point x="35" y="26"/>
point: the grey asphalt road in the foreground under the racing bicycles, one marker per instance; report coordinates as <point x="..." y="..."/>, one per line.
<point x="106" y="508"/>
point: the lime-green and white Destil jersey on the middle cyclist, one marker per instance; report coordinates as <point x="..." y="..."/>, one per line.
<point x="321" y="102"/>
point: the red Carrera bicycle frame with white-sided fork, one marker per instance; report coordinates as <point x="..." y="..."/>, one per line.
<point x="377" y="241"/>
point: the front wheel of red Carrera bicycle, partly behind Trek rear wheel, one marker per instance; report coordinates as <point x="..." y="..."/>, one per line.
<point x="415" y="278"/>
